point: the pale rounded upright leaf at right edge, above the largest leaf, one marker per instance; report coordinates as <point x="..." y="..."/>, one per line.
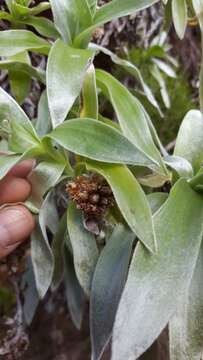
<point x="189" y="144"/>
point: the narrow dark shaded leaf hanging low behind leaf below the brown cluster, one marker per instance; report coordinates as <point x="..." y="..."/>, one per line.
<point x="74" y="294"/>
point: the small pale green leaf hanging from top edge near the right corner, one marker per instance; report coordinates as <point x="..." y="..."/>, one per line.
<point x="179" y="12"/>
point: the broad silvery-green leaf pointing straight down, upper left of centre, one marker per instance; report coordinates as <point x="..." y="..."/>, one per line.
<point x="65" y="73"/>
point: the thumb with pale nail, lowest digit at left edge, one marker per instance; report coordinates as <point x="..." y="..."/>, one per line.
<point x="16" y="224"/>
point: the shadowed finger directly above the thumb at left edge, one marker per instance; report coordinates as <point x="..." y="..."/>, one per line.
<point x="13" y="190"/>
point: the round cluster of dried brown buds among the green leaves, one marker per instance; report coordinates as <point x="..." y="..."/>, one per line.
<point x="91" y="194"/>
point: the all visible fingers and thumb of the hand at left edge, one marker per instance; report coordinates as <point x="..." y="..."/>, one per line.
<point x="16" y="222"/>
